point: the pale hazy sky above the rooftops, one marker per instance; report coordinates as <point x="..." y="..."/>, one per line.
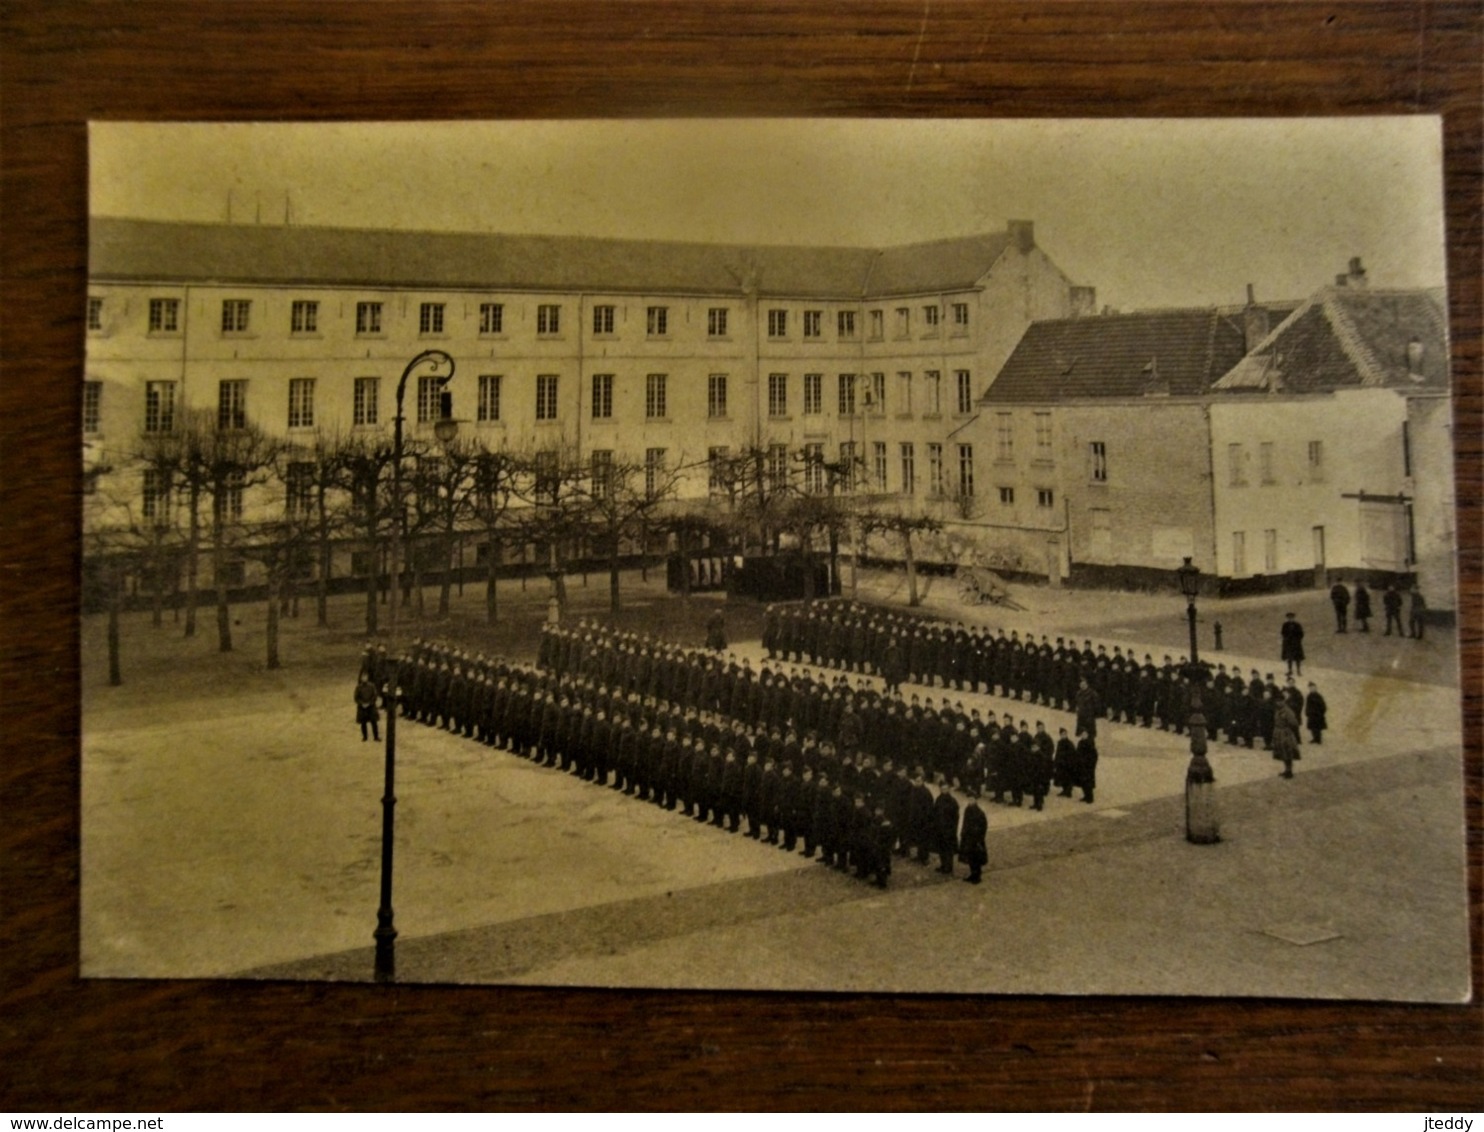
<point x="1151" y="213"/>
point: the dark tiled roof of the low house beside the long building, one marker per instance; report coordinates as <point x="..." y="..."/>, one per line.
<point x="1181" y="352"/>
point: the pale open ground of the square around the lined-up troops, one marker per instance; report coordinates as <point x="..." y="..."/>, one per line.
<point x="232" y="821"/>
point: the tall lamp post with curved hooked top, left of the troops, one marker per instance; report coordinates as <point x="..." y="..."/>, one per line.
<point x="446" y="430"/>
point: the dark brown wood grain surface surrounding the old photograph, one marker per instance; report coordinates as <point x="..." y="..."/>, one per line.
<point x="73" y="1045"/>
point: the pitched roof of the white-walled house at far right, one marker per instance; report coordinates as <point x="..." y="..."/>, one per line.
<point x="1350" y="338"/>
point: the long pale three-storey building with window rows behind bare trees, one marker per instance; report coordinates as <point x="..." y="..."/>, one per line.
<point x="636" y="354"/>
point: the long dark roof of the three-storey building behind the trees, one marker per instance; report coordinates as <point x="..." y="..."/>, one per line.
<point x="142" y="250"/>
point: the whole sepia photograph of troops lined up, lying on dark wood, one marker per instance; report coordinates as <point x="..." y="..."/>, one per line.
<point x="980" y="557"/>
